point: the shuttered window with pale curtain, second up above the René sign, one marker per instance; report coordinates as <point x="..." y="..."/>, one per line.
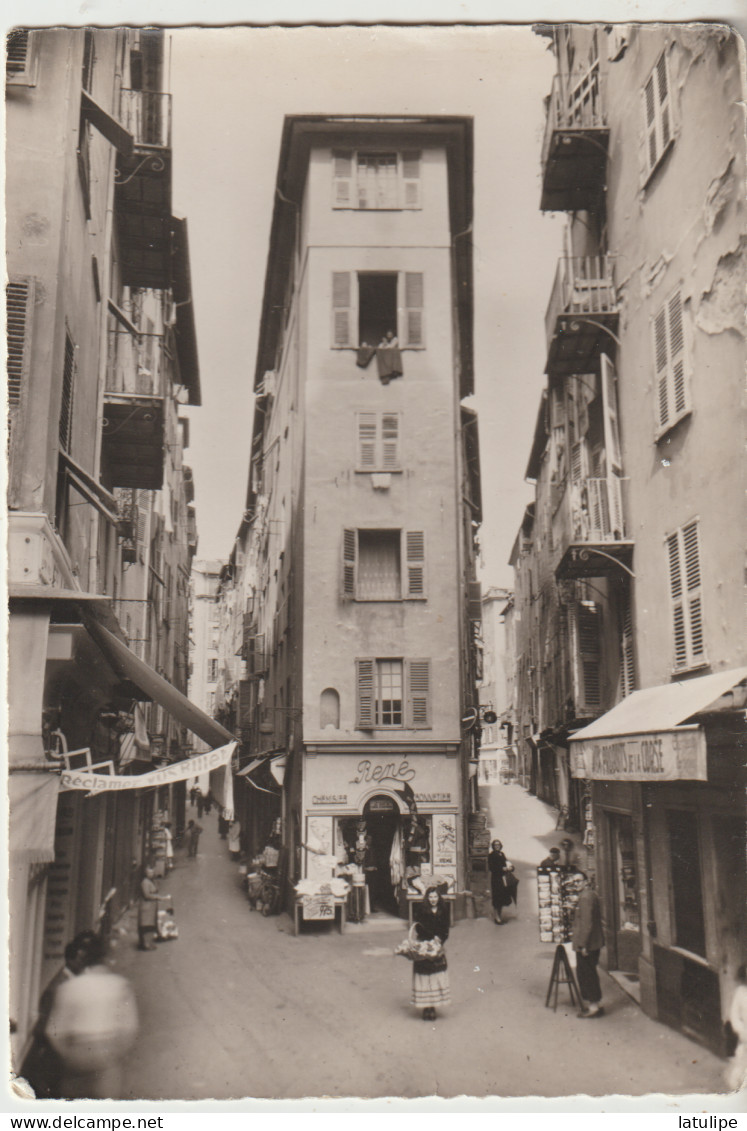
<point x="384" y="565"/>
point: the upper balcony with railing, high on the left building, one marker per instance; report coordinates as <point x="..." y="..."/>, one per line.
<point x="143" y="195"/>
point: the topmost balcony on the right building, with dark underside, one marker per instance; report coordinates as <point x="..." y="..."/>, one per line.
<point x="574" y="149"/>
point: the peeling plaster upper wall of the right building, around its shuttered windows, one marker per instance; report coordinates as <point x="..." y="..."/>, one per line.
<point x="683" y="229"/>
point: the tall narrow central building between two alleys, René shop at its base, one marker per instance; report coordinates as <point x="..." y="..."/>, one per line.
<point x="351" y="589"/>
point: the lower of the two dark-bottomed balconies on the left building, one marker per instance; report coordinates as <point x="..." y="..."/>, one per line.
<point x="134" y="411"/>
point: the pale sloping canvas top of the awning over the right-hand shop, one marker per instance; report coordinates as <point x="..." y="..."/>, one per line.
<point x="663" y="707"/>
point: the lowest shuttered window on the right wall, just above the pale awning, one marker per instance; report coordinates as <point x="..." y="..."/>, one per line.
<point x="686" y="593"/>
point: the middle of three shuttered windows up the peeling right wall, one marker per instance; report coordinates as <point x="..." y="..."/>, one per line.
<point x="666" y="377"/>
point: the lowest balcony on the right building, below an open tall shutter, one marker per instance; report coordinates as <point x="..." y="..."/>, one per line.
<point x="589" y="531"/>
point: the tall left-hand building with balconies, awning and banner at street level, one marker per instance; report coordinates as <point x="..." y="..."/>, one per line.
<point x="101" y="525"/>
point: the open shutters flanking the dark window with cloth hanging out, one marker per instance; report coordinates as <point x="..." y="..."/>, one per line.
<point x="346" y="304"/>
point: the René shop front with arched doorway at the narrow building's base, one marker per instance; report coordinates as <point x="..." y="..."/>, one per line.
<point x="390" y="821"/>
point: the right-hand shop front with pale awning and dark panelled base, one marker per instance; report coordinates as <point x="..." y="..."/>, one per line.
<point x="666" y="771"/>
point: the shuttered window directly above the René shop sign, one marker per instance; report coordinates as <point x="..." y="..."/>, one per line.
<point x="392" y="694"/>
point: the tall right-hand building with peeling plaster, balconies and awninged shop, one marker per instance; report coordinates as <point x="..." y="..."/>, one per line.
<point x="629" y="610"/>
